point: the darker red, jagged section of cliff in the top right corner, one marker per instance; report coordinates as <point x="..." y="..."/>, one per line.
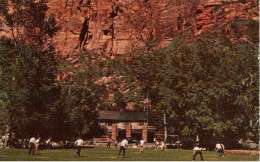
<point x="215" y="13"/>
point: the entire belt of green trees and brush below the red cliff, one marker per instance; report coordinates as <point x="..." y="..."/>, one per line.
<point x="207" y="87"/>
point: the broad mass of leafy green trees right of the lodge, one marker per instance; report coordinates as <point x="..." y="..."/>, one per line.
<point x="208" y="87"/>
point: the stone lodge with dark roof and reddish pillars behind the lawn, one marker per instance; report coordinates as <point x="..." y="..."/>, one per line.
<point x="121" y="124"/>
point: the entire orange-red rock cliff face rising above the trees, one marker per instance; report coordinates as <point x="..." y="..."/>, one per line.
<point x="116" y="27"/>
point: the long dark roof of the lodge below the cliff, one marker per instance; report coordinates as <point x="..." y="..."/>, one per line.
<point x="122" y="115"/>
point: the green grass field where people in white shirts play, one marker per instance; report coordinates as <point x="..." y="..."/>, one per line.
<point x="104" y="154"/>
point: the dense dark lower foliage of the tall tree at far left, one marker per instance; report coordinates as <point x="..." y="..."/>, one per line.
<point x="28" y="85"/>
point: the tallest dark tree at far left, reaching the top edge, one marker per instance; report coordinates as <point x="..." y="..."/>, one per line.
<point x="28" y="65"/>
